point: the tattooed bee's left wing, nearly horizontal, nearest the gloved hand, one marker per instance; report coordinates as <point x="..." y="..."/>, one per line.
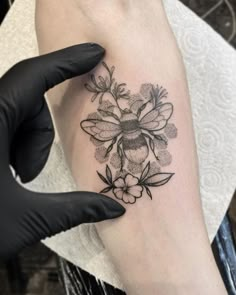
<point x="101" y="130"/>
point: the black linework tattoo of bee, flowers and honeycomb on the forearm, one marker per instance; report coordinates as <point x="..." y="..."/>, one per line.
<point x="125" y="129"/>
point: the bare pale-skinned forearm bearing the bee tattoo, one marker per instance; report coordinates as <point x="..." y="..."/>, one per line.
<point x="161" y="243"/>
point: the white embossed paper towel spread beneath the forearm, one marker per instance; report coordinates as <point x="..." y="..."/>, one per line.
<point x="211" y="69"/>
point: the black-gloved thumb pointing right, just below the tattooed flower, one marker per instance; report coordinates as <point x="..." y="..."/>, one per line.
<point x="28" y="217"/>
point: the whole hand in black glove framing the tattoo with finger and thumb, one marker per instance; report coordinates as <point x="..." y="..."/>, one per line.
<point x="26" y="136"/>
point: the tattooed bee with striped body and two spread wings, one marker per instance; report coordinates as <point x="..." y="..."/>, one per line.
<point x="133" y="132"/>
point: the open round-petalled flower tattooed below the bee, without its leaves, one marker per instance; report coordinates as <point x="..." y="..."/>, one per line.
<point x="127" y="189"/>
